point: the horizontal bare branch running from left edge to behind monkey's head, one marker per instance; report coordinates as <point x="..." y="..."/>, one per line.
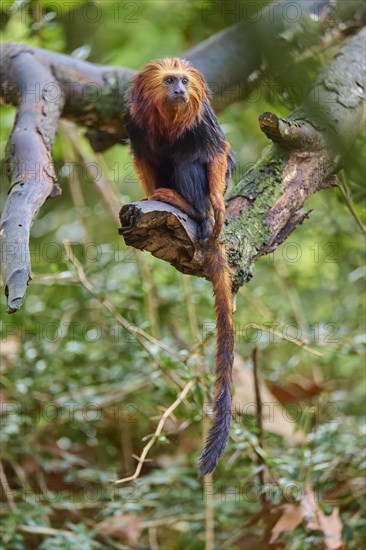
<point x="93" y="95"/>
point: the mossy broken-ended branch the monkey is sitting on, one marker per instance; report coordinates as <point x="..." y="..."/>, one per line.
<point x="265" y="206"/>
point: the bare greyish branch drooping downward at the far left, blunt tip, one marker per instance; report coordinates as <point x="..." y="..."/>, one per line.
<point x="30" y="169"/>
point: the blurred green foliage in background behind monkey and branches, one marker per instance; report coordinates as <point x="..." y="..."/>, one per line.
<point x="81" y="396"/>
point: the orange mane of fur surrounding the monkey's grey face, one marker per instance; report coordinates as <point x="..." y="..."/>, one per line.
<point x="147" y="102"/>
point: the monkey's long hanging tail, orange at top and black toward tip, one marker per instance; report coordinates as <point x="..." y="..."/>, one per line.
<point x="218" y="434"/>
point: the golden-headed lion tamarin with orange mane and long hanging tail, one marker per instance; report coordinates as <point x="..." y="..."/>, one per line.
<point x="181" y="157"/>
